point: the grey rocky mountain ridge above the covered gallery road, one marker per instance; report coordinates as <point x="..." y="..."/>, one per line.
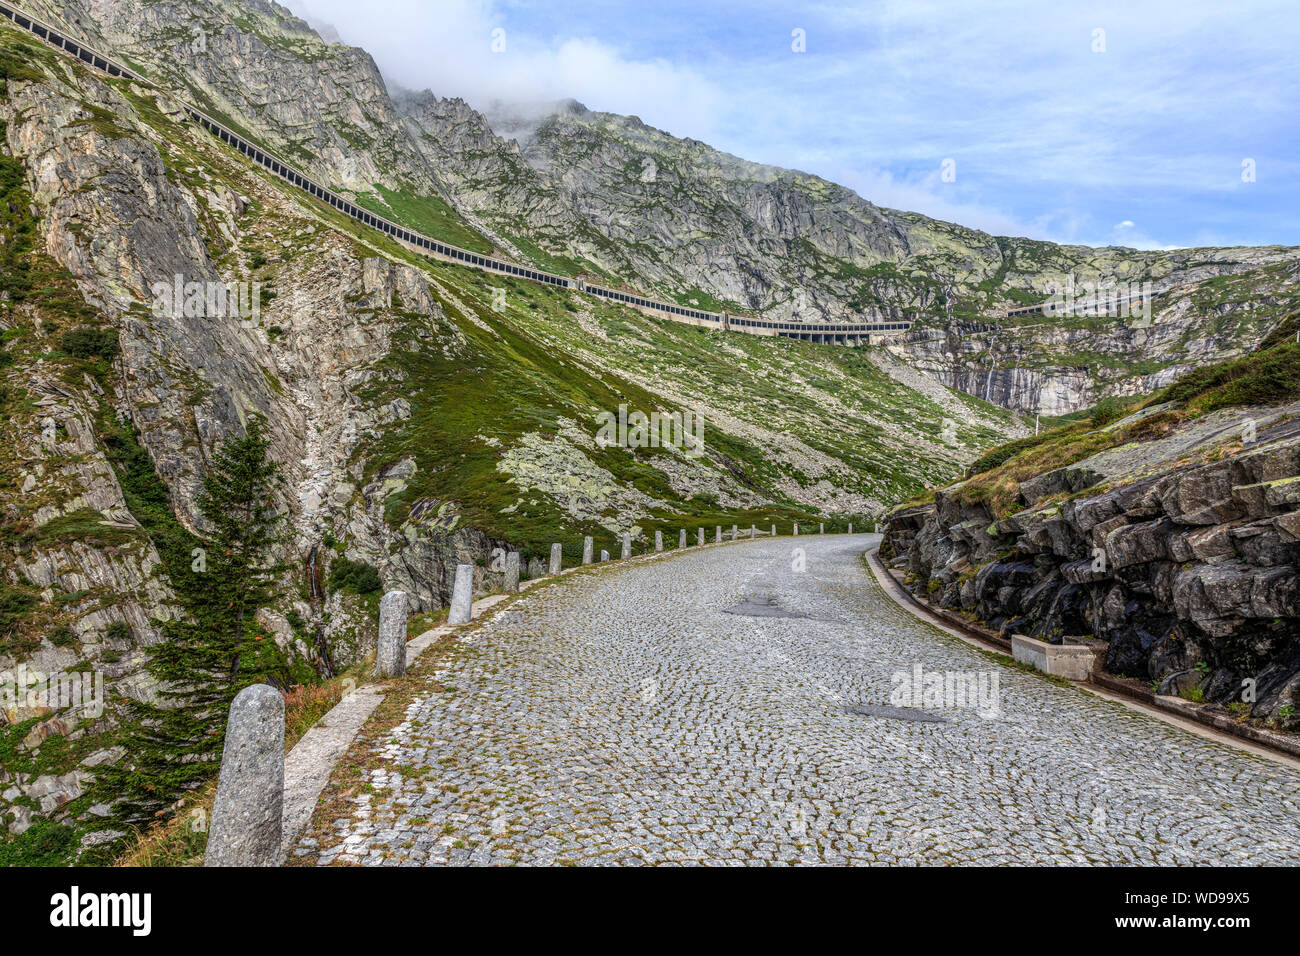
<point x="599" y="194"/>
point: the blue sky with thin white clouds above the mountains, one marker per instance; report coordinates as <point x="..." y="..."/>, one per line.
<point x="1133" y="136"/>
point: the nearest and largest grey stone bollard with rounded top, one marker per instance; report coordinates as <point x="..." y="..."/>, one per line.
<point x="246" y="817"/>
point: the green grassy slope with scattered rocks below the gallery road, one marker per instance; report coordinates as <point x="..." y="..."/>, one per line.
<point x="535" y="365"/>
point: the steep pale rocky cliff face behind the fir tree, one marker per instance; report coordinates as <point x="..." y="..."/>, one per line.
<point x="101" y="440"/>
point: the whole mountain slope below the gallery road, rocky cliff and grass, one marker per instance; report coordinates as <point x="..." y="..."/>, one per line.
<point x="423" y="414"/>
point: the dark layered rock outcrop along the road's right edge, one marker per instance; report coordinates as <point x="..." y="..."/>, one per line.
<point x="1182" y="552"/>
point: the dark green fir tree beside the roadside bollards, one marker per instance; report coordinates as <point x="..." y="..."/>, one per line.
<point x="216" y="648"/>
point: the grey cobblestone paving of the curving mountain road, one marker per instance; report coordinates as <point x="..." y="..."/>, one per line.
<point x="626" y="719"/>
